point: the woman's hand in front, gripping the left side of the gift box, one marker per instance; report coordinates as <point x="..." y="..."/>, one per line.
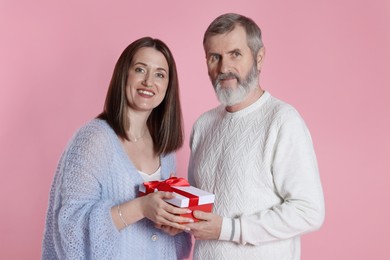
<point x="162" y="213"/>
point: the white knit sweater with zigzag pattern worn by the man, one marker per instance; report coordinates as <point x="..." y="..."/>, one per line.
<point x="260" y="164"/>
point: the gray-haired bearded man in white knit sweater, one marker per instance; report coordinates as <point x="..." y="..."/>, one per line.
<point x="255" y="153"/>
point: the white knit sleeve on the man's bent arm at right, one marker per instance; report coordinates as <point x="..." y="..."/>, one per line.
<point x="296" y="179"/>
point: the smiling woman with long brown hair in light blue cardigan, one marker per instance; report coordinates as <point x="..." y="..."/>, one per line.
<point x="94" y="211"/>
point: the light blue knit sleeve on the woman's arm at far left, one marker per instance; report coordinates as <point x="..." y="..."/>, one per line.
<point x="85" y="226"/>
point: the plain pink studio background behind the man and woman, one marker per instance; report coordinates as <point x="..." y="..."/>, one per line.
<point x="330" y="59"/>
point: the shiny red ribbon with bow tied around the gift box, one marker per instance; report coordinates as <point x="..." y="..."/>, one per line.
<point x="167" y="186"/>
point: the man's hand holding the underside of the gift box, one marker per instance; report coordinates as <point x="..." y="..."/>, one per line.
<point x="208" y="228"/>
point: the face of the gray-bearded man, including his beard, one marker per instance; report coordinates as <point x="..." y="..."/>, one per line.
<point x="231" y="66"/>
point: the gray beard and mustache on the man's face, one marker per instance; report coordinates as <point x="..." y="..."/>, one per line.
<point x="231" y="96"/>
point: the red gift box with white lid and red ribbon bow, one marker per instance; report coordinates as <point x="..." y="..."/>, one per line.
<point x="186" y="196"/>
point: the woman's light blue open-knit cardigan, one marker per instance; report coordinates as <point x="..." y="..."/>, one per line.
<point x="94" y="174"/>
